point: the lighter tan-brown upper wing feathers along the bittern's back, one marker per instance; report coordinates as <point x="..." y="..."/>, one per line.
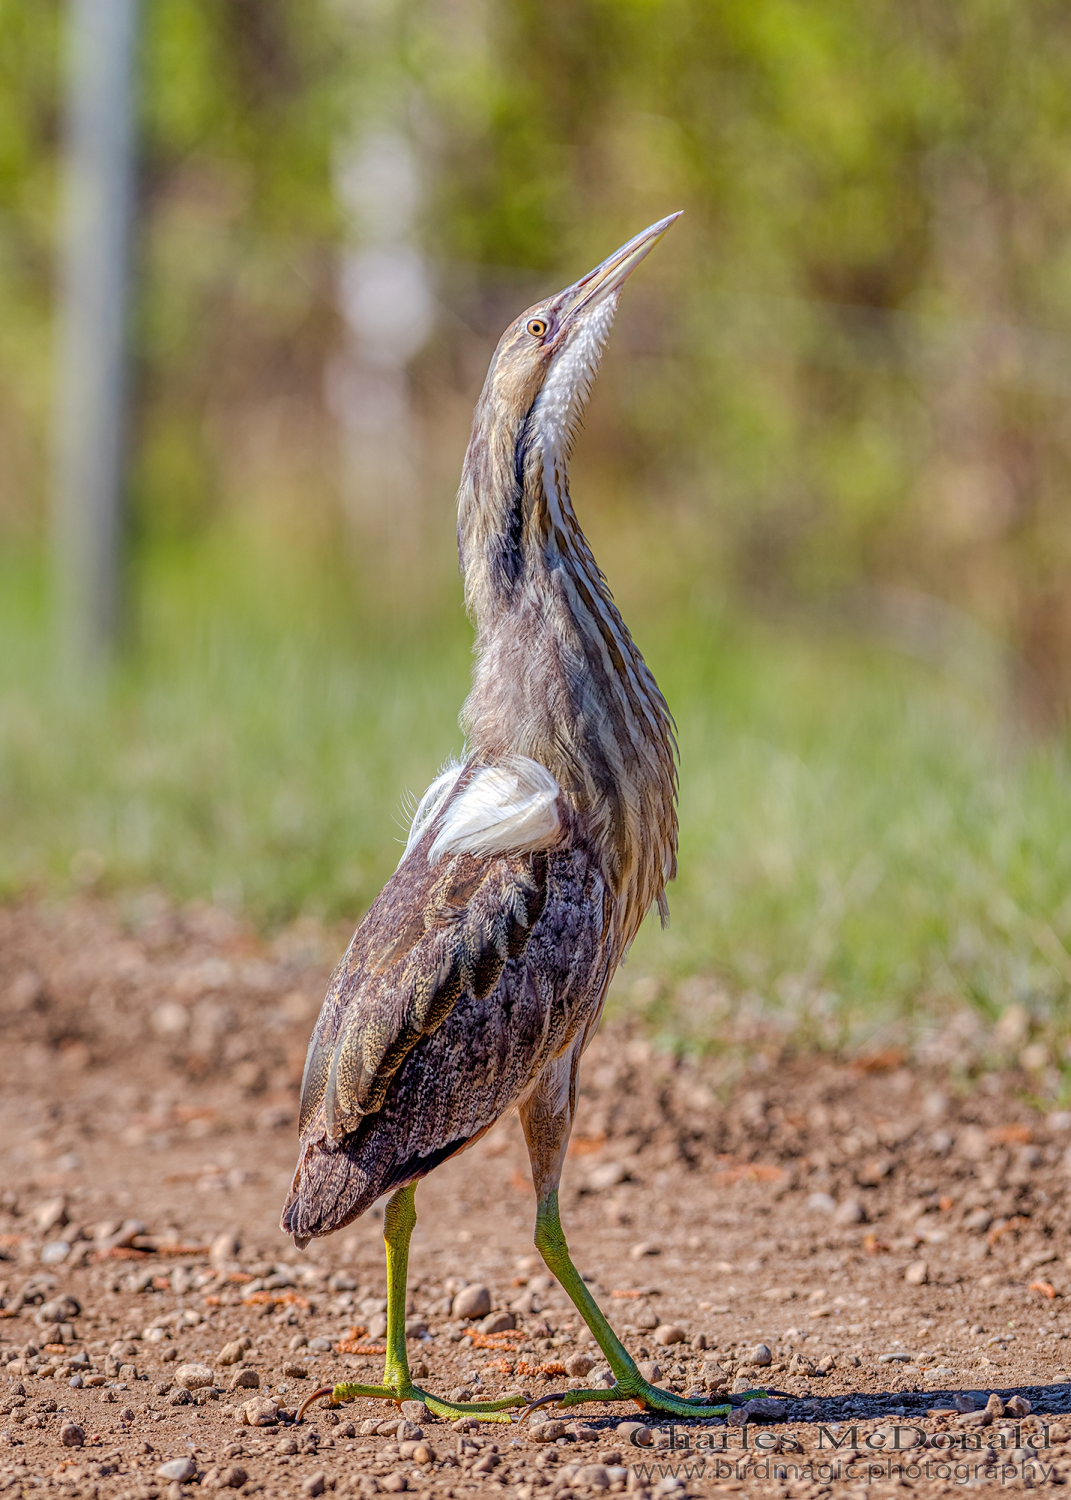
<point x="434" y="934"/>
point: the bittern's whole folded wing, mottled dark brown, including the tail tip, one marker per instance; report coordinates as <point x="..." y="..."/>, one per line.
<point x="458" y="989"/>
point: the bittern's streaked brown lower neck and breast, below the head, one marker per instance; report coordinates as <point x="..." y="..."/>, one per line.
<point x="559" y="677"/>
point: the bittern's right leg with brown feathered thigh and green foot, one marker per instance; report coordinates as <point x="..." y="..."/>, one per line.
<point x="547" y="1118"/>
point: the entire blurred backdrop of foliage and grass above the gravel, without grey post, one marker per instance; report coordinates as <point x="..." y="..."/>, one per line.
<point x="826" y="470"/>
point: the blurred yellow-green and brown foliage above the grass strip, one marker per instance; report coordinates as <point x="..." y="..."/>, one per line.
<point x="848" y="382"/>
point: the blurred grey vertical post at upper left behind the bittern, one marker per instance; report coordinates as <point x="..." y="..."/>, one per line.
<point x="91" y="377"/>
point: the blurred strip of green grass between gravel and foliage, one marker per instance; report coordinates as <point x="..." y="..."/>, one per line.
<point x="862" y="845"/>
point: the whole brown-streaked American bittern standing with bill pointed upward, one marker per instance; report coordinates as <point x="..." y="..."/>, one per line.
<point x="479" y="974"/>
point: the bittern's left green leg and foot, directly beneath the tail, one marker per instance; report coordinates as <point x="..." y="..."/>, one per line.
<point x="398" y="1223"/>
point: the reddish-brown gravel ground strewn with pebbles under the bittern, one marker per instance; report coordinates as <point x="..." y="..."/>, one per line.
<point x="883" y="1246"/>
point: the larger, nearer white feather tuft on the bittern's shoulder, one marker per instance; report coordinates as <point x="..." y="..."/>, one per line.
<point x="506" y="809"/>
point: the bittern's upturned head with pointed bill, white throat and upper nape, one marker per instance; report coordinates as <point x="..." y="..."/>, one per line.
<point x="529" y="412"/>
